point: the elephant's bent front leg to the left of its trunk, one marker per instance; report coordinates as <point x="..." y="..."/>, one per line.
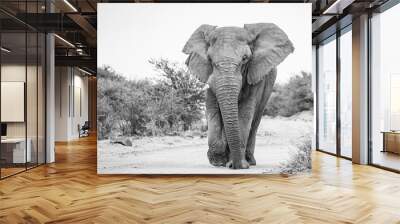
<point x="218" y="152"/>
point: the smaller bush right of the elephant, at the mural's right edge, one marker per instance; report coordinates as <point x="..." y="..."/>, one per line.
<point x="291" y="98"/>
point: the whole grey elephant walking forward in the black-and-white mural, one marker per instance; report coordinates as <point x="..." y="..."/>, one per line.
<point x="239" y="66"/>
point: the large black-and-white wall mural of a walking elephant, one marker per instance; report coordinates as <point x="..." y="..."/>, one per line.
<point x="187" y="89"/>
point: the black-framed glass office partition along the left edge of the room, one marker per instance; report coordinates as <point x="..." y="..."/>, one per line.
<point x="22" y="88"/>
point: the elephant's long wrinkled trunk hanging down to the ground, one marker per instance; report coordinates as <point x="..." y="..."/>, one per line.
<point x="227" y="89"/>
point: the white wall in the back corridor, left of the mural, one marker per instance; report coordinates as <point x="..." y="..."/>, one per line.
<point x="70" y="83"/>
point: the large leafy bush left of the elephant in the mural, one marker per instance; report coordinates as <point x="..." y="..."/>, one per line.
<point x="171" y="103"/>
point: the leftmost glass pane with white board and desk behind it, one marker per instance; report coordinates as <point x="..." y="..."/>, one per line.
<point x="13" y="86"/>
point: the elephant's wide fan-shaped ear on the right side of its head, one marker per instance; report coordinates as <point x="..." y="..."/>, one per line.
<point x="270" y="47"/>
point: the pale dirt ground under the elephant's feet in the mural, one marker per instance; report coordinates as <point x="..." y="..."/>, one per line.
<point x="276" y="141"/>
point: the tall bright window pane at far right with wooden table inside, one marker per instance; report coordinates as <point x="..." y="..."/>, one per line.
<point x="386" y="89"/>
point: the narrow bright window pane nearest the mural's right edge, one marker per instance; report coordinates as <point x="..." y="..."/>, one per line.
<point x="327" y="96"/>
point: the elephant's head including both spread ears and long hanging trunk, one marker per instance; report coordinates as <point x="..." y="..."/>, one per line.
<point x="228" y="58"/>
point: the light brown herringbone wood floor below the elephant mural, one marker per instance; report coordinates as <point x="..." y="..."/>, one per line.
<point x="70" y="191"/>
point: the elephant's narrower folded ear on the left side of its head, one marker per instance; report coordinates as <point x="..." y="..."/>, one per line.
<point x="196" y="47"/>
